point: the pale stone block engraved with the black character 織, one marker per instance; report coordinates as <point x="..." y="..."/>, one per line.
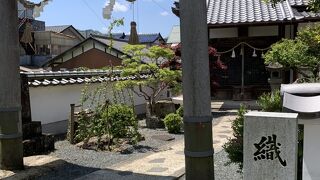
<point x="270" y="146"/>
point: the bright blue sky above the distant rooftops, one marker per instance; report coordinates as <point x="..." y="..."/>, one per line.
<point x="152" y="16"/>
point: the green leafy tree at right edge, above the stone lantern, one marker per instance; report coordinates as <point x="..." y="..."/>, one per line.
<point x="302" y="52"/>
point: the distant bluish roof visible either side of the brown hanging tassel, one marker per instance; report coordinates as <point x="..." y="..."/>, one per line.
<point x="143" y="38"/>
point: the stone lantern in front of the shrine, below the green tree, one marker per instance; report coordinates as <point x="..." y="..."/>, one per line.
<point x="276" y="75"/>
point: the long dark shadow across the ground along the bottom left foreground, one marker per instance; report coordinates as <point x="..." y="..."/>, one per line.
<point x="62" y="170"/>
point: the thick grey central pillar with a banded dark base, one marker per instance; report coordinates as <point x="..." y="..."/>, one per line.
<point x="196" y="90"/>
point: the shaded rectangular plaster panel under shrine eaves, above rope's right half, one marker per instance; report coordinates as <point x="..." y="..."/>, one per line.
<point x="263" y="31"/>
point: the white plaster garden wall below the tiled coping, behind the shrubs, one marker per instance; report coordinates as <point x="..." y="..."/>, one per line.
<point x="51" y="104"/>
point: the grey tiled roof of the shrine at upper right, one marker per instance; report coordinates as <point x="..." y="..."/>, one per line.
<point x="224" y="12"/>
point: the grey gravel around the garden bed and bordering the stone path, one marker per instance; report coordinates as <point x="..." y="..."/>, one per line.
<point x="81" y="162"/>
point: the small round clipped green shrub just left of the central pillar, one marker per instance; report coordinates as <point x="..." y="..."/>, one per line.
<point x="173" y="123"/>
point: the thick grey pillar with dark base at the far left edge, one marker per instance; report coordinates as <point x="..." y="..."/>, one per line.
<point x="11" y="152"/>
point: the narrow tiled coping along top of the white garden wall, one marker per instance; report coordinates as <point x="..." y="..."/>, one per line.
<point x="49" y="78"/>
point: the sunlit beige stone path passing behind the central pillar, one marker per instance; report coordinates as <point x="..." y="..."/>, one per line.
<point x="169" y="163"/>
